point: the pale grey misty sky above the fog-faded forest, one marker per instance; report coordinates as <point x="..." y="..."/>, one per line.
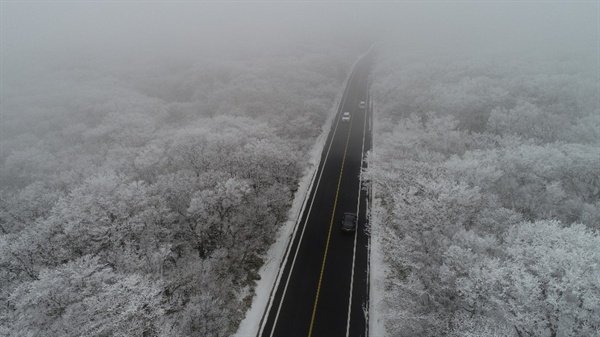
<point x="102" y="28"/>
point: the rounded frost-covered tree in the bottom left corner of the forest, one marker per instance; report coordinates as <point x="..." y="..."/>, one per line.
<point x="86" y="297"/>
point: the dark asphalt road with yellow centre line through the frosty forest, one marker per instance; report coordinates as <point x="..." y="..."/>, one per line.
<point x="323" y="285"/>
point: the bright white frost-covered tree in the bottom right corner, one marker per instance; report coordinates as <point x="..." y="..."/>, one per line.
<point x="540" y="281"/>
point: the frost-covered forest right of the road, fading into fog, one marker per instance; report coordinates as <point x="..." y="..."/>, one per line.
<point x="486" y="172"/>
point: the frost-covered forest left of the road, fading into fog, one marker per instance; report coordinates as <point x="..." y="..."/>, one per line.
<point x="138" y="199"/>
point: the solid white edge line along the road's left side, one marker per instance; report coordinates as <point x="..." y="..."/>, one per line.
<point x="289" y="276"/>
